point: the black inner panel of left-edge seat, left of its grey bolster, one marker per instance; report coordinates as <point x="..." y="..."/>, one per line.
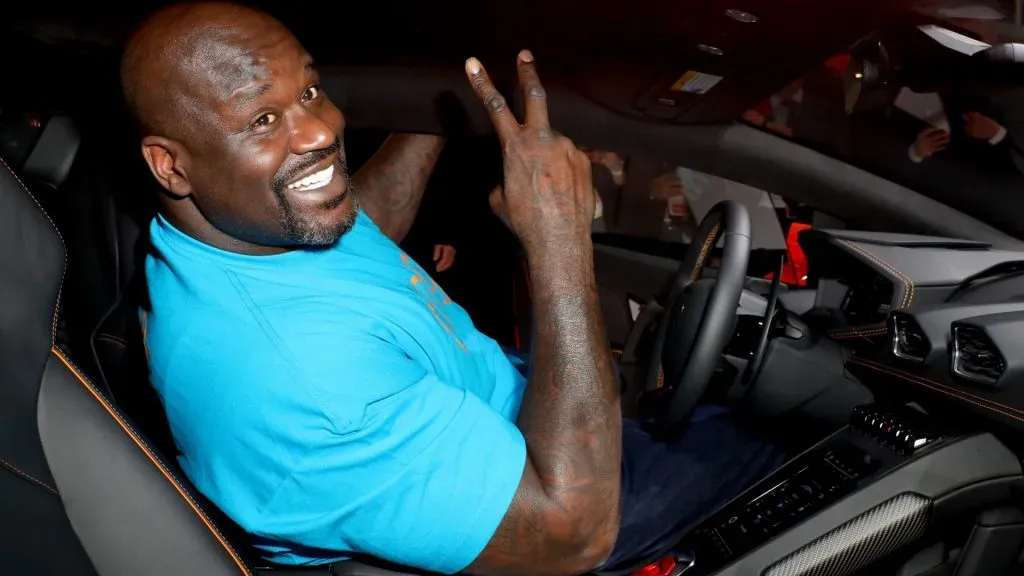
<point x="35" y="534"/>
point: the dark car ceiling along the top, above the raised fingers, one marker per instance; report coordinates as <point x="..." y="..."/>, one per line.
<point x="625" y="57"/>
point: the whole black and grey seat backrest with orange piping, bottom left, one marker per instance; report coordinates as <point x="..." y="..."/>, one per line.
<point x="63" y="442"/>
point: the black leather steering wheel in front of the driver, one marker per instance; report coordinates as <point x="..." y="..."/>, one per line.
<point x="700" y="318"/>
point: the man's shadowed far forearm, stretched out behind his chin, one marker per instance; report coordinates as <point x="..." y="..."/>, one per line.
<point x="392" y="184"/>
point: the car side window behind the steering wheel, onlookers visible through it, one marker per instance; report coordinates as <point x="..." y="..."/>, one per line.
<point x="655" y="200"/>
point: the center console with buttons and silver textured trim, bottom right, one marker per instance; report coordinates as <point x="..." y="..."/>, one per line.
<point x="864" y="492"/>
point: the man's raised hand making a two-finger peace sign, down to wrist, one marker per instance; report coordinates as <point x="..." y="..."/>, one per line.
<point x="548" y="198"/>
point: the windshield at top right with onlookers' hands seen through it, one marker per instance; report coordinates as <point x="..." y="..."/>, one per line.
<point x="934" y="101"/>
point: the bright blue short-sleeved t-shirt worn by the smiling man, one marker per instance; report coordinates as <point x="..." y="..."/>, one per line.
<point x="334" y="401"/>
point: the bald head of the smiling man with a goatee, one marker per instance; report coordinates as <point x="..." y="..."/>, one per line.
<point x="251" y="152"/>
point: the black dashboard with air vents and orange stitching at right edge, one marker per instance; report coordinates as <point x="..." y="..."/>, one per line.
<point x="931" y="319"/>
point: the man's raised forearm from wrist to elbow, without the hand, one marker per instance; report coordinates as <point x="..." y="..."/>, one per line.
<point x="572" y="424"/>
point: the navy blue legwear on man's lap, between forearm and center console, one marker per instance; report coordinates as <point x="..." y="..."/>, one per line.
<point x="669" y="488"/>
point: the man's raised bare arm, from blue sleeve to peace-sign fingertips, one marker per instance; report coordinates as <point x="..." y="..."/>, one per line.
<point x="565" y="517"/>
